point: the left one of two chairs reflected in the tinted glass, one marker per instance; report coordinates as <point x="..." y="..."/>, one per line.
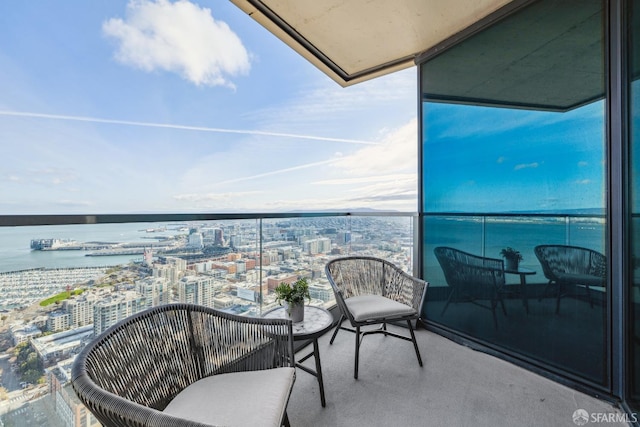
<point x="472" y="278"/>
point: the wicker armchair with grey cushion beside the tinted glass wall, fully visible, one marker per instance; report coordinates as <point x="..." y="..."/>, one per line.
<point x="372" y="291"/>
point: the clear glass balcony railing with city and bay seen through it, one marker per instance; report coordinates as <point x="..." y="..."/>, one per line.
<point x="63" y="284"/>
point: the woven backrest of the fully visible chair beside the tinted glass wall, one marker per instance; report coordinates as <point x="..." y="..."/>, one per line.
<point x="363" y="275"/>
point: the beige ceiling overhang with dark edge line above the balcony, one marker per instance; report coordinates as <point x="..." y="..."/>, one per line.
<point x="356" y="40"/>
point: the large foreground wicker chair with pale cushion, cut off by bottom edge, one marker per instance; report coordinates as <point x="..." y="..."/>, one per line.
<point x="188" y="365"/>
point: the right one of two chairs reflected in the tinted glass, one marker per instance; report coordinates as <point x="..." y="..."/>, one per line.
<point x="566" y="266"/>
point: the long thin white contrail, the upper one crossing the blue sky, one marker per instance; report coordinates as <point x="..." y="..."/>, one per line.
<point x="183" y="127"/>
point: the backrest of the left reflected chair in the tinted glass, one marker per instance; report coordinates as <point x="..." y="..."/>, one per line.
<point x="462" y="269"/>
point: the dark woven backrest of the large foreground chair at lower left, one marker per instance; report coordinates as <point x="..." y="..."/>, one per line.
<point x="151" y="356"/>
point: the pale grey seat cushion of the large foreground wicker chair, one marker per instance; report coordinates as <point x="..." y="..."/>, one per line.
<point x="253" y="398"/>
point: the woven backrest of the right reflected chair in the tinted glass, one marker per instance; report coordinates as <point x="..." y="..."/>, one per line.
<point x="570" y="260"/>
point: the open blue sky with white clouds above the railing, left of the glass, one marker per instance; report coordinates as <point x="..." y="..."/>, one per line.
<point x="155" y="106"/>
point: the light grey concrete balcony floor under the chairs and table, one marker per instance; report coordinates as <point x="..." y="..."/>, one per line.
<point x="457" y="386"/>
